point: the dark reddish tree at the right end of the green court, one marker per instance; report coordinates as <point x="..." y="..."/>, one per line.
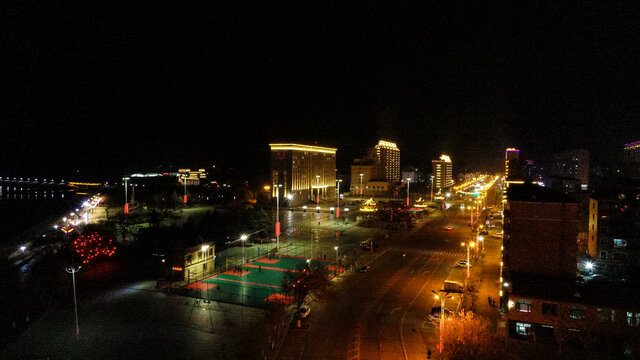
<point x="307" y="278"/>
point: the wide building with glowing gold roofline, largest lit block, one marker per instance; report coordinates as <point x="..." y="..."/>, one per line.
<point x="304" y="171"/>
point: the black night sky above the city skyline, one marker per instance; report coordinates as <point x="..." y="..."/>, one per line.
<point x="106" y="87"/>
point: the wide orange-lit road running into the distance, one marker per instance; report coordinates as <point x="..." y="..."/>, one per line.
<point x="381" y="314"/>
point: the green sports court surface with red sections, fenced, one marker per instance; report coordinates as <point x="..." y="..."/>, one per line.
<point x="256" y="284"/>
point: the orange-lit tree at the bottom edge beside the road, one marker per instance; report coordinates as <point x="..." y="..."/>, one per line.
<point x="469" y="336"/>
